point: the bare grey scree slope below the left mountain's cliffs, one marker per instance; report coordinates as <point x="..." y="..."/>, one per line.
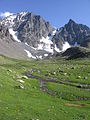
<point x="16" y="49"/>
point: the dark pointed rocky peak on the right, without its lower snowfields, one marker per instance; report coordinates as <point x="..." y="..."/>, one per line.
<point x="72" y="33"/>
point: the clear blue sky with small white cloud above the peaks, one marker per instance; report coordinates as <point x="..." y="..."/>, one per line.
<point x="57" y="12"/>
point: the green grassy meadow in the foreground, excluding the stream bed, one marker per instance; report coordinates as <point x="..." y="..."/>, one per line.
<point x="31" y="103"/>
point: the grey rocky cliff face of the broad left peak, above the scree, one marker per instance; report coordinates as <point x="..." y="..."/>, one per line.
<point x="28" y="27"/>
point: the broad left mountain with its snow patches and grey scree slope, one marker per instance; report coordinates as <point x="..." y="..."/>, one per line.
<point x="28" y="36"/>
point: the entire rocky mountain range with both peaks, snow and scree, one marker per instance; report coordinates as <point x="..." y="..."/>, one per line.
<point x="26" y="35"/>
